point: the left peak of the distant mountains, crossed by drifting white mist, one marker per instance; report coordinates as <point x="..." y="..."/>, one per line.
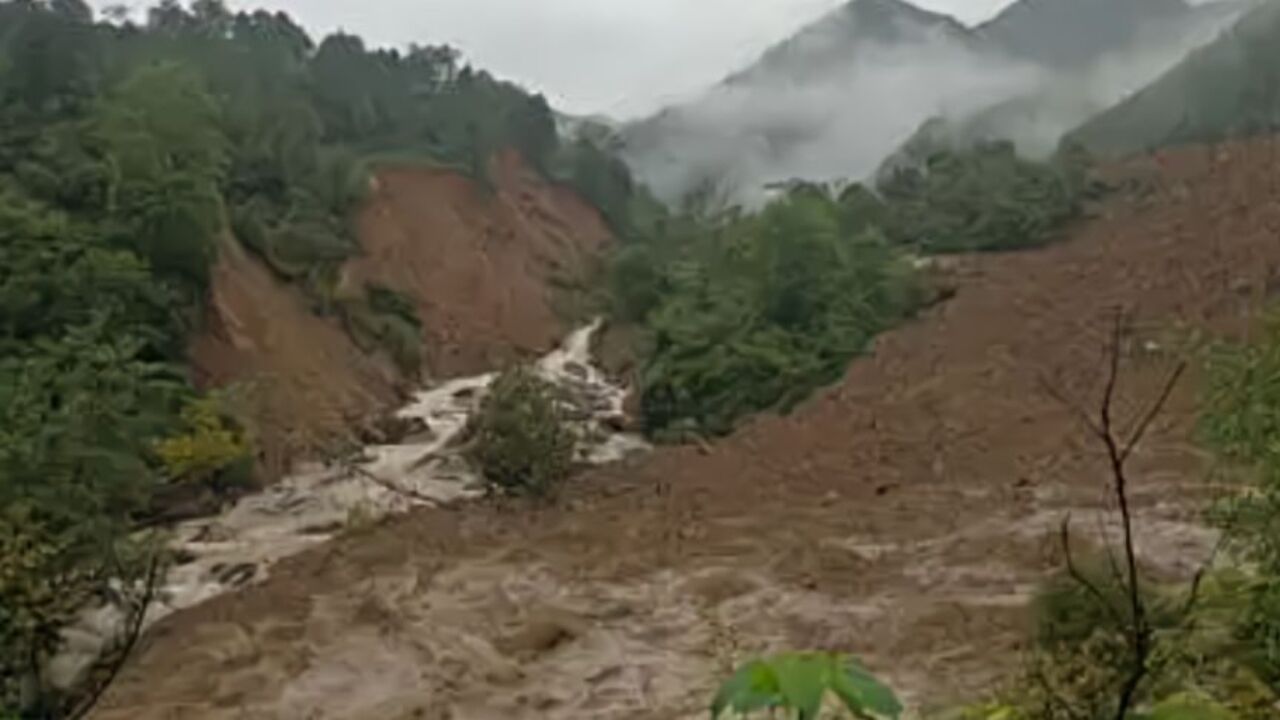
<point x="829" y="103"/>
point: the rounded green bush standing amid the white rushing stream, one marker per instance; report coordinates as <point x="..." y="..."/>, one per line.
<point x="522" y="439"/>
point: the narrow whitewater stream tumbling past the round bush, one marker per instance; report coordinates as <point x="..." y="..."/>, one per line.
<point x="240" y="546"/>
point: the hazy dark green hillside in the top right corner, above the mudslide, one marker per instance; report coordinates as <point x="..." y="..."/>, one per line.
<point x="1227" y="89"/>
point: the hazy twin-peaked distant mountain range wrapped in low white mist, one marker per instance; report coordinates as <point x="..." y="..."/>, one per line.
<point x="845" y="93"/>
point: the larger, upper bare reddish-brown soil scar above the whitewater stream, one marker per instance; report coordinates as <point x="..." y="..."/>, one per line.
<point x="483" y="265"/>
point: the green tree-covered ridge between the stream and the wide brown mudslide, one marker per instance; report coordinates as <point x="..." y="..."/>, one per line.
<point x="747" y="312"/>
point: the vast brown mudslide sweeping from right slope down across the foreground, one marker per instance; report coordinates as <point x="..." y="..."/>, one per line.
<point x="903" y="516"/>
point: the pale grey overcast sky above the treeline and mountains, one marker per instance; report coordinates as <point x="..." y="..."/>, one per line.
<point x="621" y="58"/>
